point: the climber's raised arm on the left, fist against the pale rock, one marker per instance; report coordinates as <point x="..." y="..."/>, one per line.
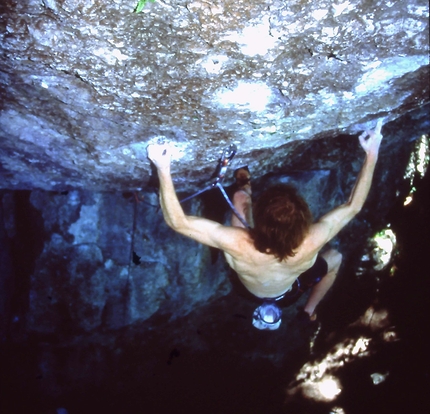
<point x="202" y="230"/>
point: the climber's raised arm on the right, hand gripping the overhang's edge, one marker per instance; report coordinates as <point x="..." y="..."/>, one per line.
<point x="331" y="223"/>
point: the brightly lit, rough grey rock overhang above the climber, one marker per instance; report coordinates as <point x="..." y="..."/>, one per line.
<point x="86" y="84"/>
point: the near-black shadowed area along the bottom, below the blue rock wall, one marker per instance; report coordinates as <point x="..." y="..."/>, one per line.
<point x="212" y="361"/>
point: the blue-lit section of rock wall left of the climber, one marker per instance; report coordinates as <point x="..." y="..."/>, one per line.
<point x="106" y="264"/>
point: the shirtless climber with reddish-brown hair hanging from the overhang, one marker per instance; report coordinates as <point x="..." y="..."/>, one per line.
<point x="278" y="256"/>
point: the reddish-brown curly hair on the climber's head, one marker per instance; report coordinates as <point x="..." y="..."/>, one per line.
<point x="281" y="221"/>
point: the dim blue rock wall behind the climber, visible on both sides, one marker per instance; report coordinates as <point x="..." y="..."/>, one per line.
<point x="88" y="261"/>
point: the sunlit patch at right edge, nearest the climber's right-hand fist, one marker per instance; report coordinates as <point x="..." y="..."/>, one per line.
<point x="418" y="164"/>
